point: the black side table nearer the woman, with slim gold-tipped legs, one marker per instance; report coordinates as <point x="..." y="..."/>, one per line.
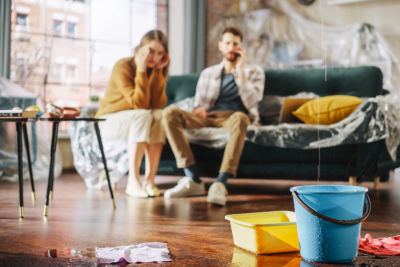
<point x="54" y="136"/>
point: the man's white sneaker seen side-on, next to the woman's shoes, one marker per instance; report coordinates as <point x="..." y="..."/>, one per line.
<point x="186" y="187"/>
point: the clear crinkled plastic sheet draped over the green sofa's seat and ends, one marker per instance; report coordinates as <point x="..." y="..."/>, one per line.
<point x="375" y="119"/>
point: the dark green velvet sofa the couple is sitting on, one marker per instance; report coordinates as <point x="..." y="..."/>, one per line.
<point x="355" y="162"/>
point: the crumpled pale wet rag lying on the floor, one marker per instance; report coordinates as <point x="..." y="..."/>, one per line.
<point x="144" y="252"/>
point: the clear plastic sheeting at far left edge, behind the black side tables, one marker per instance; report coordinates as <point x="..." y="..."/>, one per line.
<point x="12" y="95"/>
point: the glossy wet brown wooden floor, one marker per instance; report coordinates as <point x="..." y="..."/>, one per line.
<point x="197" y="234"/>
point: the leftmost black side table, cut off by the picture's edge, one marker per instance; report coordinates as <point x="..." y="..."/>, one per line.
<point x="21" y="130"/>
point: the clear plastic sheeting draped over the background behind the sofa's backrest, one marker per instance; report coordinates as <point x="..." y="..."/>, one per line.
<point x="280" y="38"/>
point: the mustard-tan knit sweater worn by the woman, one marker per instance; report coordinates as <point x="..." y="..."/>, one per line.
<point x="128" y="89"/>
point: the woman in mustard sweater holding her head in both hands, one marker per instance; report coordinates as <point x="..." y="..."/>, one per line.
<point x="132" y="107"/>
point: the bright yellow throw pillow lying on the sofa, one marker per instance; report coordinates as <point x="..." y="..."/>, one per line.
<point x="331" y="109"/>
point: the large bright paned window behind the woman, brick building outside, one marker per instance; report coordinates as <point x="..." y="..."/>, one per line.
<point x="76" y="68"/>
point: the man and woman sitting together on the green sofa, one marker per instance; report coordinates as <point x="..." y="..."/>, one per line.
<point x="227" y="96"/>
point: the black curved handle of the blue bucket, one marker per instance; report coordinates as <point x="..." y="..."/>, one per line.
<point x="366" y="212"/>
